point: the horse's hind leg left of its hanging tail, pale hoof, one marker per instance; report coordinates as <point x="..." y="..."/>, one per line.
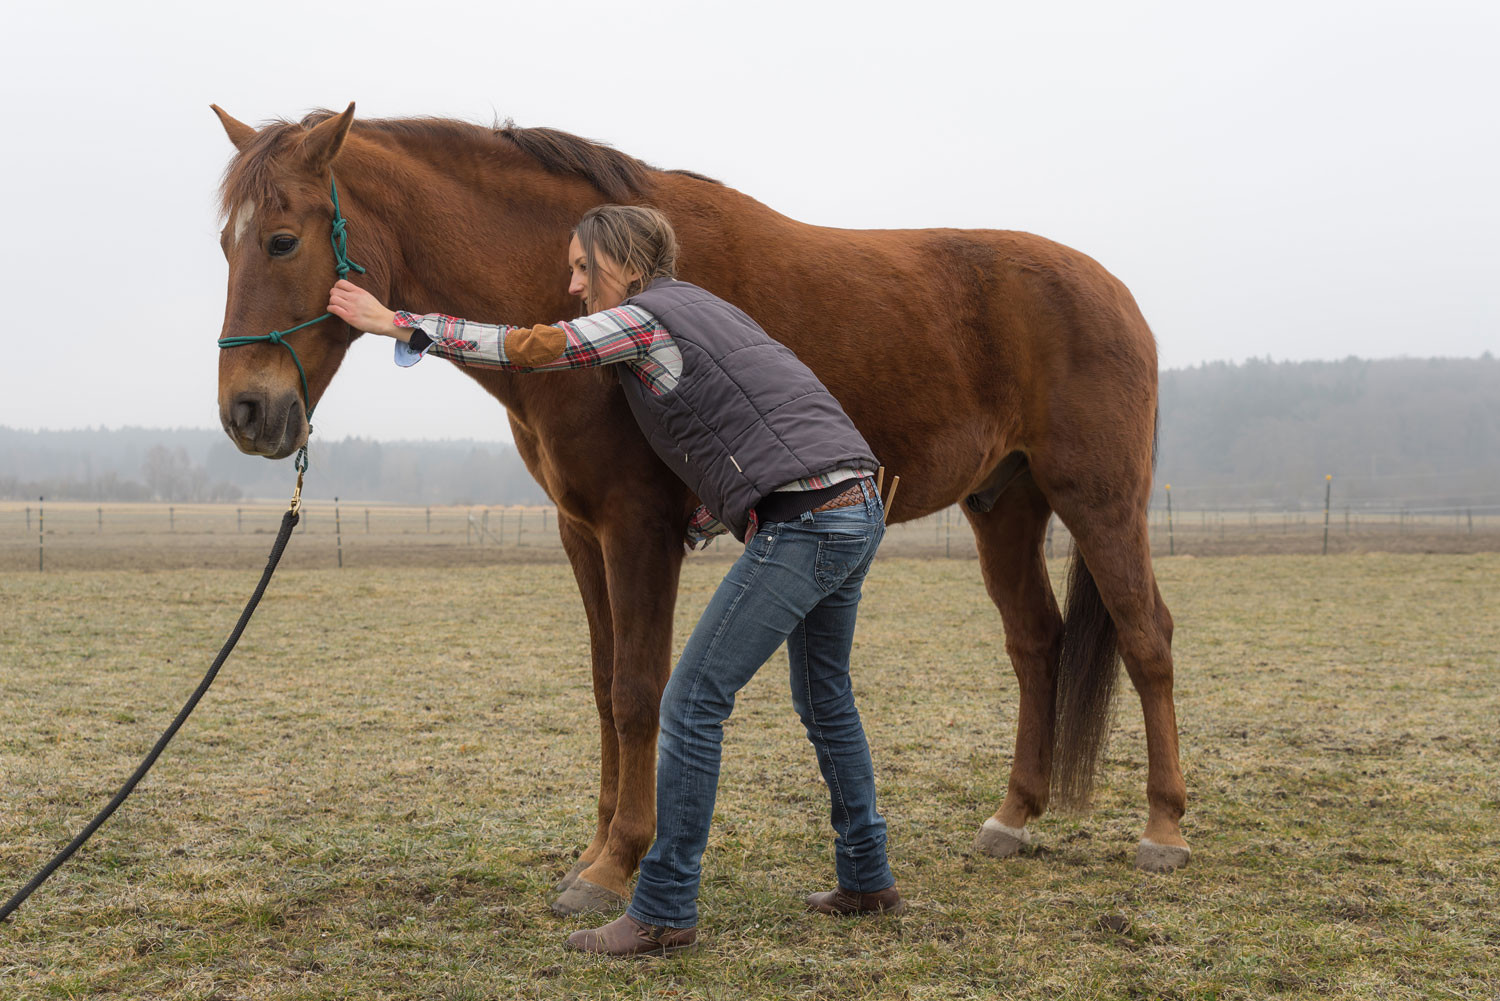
<point x="1010" y="534"/>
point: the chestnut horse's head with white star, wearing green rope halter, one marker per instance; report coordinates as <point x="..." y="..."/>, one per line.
<point x="277" y="239"/>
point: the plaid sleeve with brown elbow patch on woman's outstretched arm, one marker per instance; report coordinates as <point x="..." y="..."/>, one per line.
<point x="625" y="334"/>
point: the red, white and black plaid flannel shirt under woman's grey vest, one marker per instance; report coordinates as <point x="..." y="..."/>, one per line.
<point x="625" y="335"/>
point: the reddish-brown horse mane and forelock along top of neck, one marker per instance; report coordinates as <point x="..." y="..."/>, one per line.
<point x="619" y="176"/>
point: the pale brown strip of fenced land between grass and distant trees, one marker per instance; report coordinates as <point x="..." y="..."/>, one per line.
<point x="80" y="535"/>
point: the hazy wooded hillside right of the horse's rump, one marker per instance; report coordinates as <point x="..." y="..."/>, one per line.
<point x="1420" y="433"/>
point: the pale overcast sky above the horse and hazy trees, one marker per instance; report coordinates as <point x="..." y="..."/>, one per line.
<point x="1298" y="181"/>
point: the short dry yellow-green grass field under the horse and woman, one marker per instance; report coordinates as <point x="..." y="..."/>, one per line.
<point x="398" y="765"/>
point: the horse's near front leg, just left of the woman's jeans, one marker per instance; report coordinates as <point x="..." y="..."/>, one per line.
<point x="641" y="568"/>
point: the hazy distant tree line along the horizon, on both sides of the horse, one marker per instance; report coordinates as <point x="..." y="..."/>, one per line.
<point x="1414" y="433"/>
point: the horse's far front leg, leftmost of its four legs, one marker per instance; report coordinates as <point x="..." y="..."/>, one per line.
<point x="589" y="570"/>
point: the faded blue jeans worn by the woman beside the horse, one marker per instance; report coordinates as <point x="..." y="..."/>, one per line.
<point x="797" y="583"/>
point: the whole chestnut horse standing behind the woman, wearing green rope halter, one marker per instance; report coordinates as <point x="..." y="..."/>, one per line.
<point x="985" y="367"/>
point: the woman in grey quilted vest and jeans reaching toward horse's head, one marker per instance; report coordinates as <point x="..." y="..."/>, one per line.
<point x="698" y="373"/>
